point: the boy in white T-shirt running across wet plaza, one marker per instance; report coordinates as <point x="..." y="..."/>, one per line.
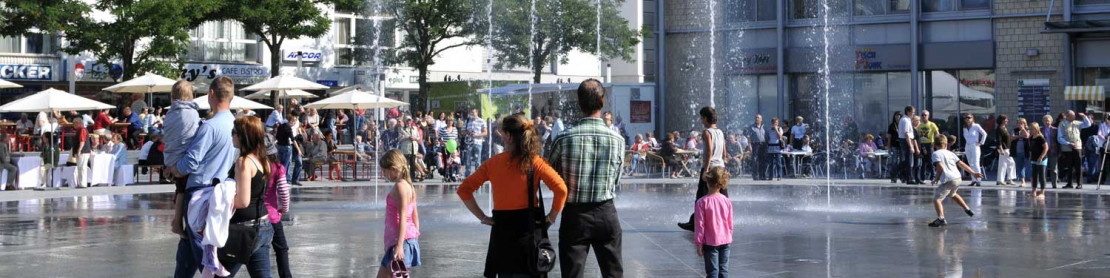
<point x="950" y="177"/>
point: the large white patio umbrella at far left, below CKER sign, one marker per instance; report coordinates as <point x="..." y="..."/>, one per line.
<point x="53" y="101"/>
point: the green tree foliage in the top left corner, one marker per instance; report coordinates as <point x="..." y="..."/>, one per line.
<point x="47" y="16"/>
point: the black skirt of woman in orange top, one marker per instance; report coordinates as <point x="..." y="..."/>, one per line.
<point x="510" y="243"/>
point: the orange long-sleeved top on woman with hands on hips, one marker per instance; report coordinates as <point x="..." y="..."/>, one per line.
<point x="510" y="184"/>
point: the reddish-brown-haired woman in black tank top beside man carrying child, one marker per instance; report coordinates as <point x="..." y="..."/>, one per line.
<point x="253" y="181"/>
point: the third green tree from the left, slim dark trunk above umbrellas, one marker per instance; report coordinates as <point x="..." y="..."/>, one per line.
<point x="277" y="21"/>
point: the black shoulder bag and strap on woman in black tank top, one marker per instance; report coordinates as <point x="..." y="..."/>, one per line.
<point x="243" y="239"/>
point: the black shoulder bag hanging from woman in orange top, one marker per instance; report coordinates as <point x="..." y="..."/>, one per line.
<point x="542" y="259"/>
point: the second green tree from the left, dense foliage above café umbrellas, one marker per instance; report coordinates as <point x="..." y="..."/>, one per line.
<point x="144" y="35"/>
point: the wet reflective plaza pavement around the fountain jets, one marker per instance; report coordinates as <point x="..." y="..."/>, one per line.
<point x="781" y="231"/>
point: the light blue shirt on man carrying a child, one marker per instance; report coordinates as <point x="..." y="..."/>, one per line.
<point x="211" y="155"/>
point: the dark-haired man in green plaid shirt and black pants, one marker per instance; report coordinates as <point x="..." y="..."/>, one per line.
<point x="590" y="158"/>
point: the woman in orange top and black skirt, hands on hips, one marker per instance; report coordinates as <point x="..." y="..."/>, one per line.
<point x="508" y="174"/>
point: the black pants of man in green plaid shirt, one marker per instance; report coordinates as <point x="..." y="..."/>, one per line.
<point x="590" y="225"/>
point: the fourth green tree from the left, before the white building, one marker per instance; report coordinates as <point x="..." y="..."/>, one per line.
<point x="432" y="27"/>
